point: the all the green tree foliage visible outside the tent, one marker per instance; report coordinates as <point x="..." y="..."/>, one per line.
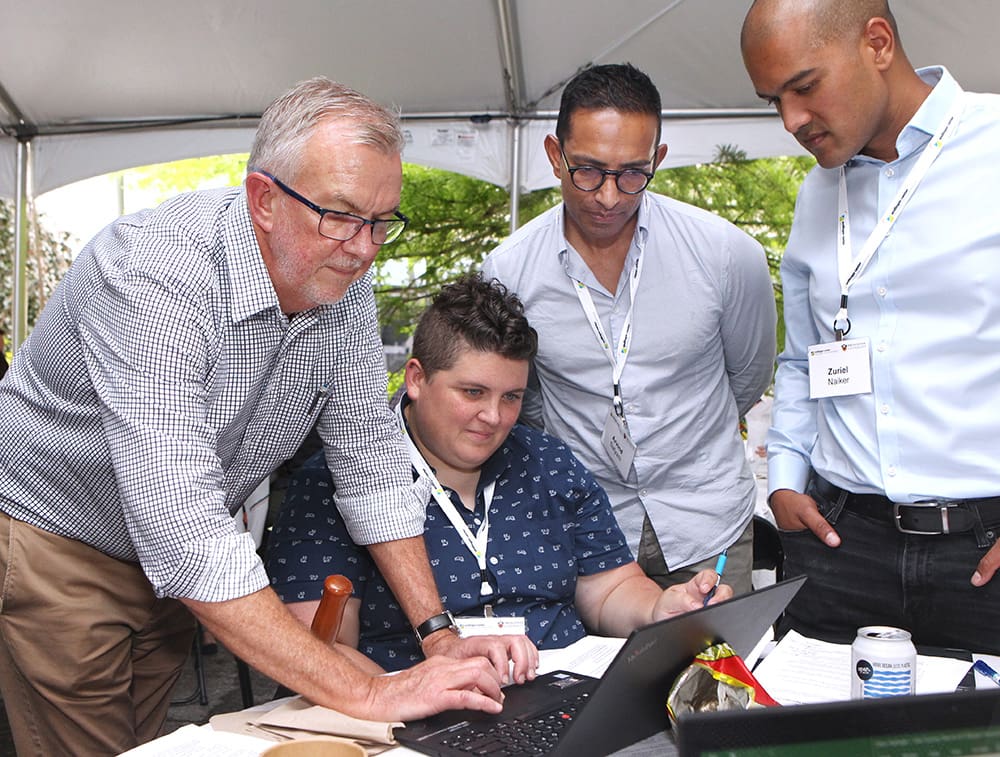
<point x="457" y="220"/>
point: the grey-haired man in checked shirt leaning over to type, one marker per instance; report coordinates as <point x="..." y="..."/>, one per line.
<point x="186" y="355"/>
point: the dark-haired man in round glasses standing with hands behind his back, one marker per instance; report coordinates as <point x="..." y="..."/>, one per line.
<point x="656" y="332"/>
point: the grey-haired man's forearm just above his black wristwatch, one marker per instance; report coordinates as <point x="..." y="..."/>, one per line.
<point x="407" y="570"/>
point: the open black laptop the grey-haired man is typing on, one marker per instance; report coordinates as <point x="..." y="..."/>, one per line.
<point x="563" y="713"/>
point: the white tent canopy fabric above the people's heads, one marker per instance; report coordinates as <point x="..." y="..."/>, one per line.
<point x="105" y="84"/>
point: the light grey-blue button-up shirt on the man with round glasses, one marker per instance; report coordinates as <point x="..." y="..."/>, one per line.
<point x="702" y="353"/>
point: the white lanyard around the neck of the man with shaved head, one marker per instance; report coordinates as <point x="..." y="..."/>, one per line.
<point x="848" y="268"/>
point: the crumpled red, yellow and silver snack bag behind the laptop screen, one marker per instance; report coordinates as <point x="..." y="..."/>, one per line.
<point x="718" y="679"/>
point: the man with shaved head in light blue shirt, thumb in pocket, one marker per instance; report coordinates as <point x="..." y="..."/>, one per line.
<point x="894" y="257"/>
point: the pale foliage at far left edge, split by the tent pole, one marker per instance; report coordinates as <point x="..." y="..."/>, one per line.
<point x="49" y="257"/>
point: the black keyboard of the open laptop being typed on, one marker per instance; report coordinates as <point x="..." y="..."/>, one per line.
<point x="537" y="735"/>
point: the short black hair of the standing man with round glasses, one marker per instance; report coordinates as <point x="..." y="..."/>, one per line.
<point x="618" y="86"/>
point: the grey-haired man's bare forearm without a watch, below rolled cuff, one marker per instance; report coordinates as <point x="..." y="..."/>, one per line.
<point x="259" y="630"/>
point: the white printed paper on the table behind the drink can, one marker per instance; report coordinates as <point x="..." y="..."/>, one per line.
<point x="800" y="670"/>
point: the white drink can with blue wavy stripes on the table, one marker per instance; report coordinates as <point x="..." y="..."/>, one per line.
<point x="883" y="663"/>
